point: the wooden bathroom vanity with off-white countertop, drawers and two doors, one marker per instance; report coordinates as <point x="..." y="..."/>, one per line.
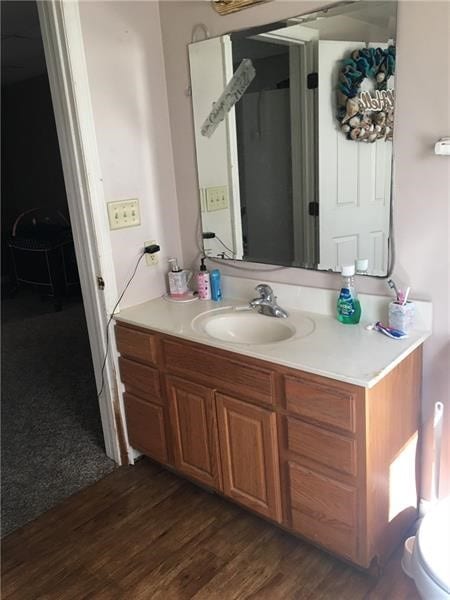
<point x="328" y="455"/>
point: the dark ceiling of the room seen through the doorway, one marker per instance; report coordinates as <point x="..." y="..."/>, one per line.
<point x="22" y="51"/>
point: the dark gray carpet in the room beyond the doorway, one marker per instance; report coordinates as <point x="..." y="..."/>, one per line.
<point x="52" y="444"/>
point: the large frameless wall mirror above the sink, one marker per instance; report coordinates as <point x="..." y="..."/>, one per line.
<point x="293" y="130"/>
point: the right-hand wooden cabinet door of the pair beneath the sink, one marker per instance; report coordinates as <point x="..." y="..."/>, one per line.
<point x="249" y="455"/>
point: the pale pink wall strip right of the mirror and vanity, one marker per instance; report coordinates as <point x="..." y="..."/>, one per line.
<point x="422" y="189"/>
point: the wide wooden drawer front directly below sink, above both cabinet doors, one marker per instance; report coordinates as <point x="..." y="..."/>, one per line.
<point x="219" y="372"/>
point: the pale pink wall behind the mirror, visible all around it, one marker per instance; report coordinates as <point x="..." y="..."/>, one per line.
<point x="421" y="195"/>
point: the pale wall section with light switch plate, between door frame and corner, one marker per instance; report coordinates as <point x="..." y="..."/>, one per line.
<point x="126" y="76"/>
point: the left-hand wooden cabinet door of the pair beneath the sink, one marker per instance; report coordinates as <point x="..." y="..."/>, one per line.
<point x="194" y="430"/>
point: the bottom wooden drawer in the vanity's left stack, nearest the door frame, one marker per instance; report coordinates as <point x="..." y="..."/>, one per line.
<point x="146" y="427"/>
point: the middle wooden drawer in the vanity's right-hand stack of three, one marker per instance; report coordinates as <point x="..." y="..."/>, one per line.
<point x="330" y="449"/>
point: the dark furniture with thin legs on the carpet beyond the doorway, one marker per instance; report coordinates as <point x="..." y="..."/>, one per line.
<point x="42" y="253"/>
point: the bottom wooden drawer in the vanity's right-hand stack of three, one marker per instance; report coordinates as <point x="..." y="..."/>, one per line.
<point x="323" y="510"/>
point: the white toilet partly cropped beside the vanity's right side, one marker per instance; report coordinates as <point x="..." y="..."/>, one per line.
<point x="427" y="555"/>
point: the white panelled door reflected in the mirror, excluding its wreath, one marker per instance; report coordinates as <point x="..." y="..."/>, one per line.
<point x="354" y="179"/>
